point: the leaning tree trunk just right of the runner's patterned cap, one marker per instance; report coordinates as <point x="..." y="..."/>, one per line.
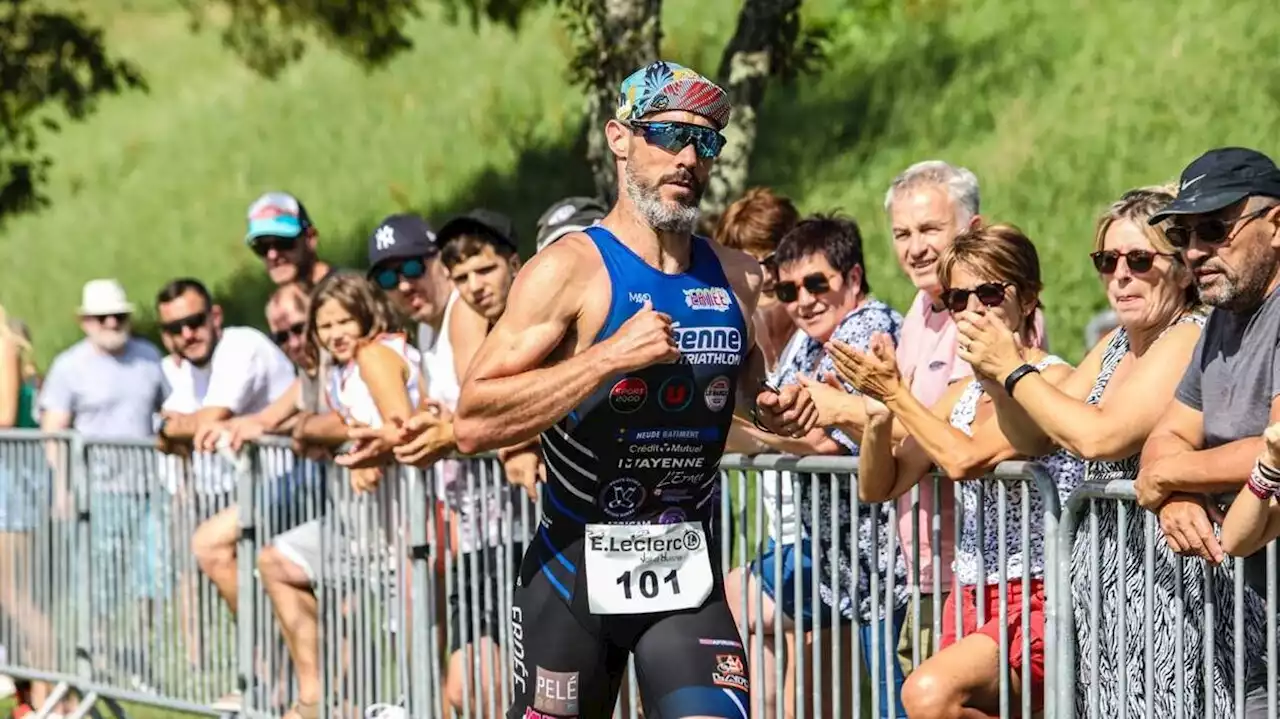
<point x="767" y="31"/>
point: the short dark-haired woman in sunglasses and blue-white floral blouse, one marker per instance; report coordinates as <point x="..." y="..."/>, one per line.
<point x="822" y="286"/>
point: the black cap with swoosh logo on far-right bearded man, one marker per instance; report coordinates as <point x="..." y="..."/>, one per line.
<point x="1222" y="178"/>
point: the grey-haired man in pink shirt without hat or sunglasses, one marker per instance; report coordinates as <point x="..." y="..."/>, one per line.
<point x="929" y="205"/>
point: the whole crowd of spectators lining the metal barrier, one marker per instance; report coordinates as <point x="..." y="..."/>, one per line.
<point x="363" y="368"/>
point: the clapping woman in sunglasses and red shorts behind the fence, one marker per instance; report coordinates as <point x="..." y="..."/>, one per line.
<point x="990" y="276"/>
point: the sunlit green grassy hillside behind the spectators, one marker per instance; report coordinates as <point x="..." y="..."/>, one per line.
<point x="1058" y="106"/>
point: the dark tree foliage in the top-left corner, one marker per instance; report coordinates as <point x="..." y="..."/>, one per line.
<point x="53" y="67"/>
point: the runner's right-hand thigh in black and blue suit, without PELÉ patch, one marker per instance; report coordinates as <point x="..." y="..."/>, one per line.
<point x="693" y="665"/>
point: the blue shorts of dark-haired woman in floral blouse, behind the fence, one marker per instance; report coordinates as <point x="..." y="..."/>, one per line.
<point x="798" y="566"/>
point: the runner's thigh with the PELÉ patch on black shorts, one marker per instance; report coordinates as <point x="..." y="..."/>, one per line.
<point x="560" y="667"/>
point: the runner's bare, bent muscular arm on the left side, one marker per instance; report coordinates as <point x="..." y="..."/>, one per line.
<point x="509" y="396"/>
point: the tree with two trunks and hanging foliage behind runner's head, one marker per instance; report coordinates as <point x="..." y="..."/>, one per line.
<point x="611" y="39"/>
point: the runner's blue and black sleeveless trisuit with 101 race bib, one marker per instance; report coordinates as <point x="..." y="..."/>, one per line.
<point x="627" y="557"/>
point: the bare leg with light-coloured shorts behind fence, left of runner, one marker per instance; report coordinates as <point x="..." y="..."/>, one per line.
<point x="289" y="569"/>
